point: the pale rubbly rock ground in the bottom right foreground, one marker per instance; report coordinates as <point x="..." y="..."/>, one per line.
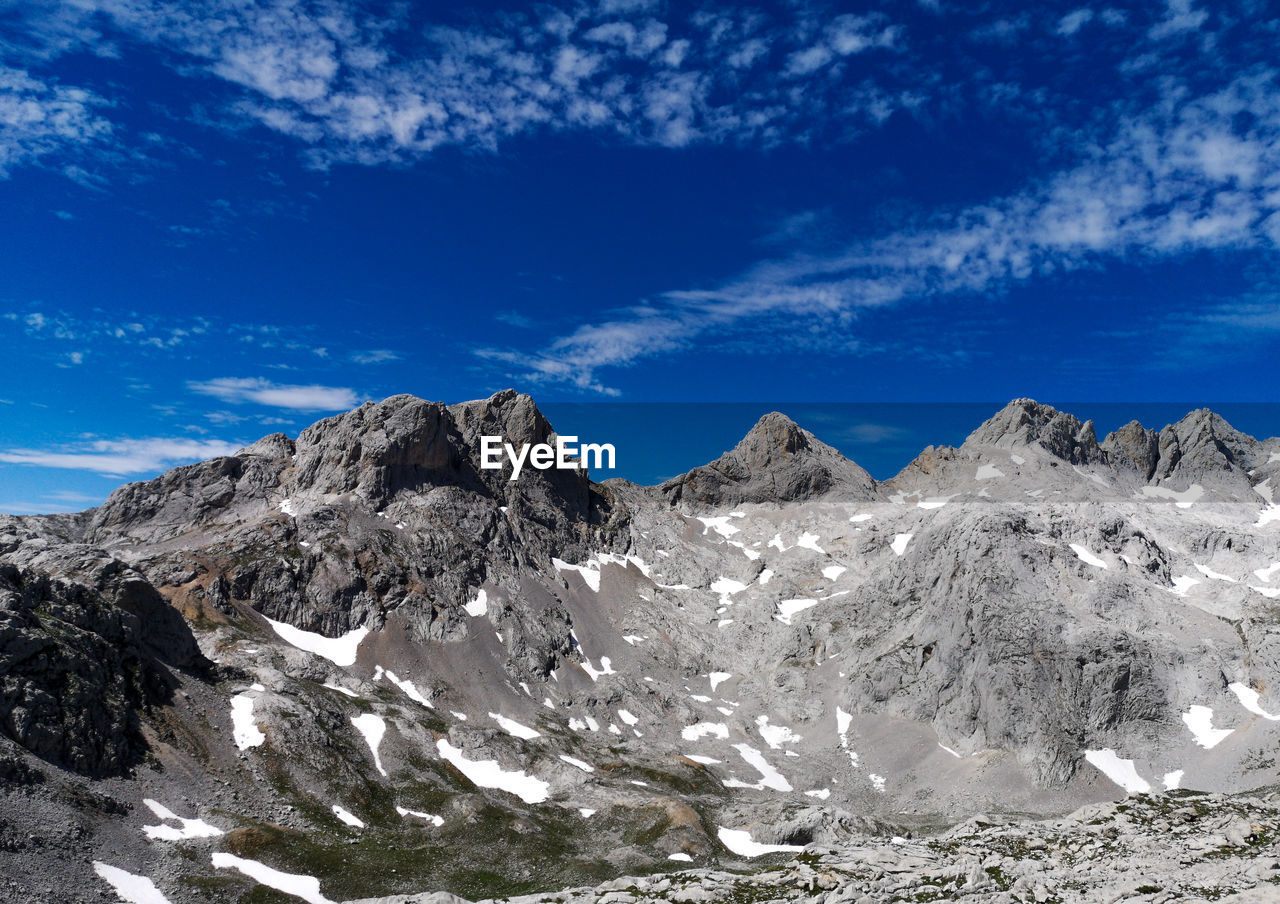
<point x="1185" y="847"/>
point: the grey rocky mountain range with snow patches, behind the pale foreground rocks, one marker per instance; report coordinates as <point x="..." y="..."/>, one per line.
<point x="415" y="674"/>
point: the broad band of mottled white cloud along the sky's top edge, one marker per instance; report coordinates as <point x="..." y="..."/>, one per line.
<point x="365" y="89"/>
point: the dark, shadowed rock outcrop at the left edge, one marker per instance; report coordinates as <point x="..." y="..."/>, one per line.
<point x="84" y="646"/>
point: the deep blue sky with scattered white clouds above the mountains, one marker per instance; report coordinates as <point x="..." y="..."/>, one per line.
<point x="230" y="218"/>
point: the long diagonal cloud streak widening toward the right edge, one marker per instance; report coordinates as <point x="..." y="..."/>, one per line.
<point x="1192" y="172"/>
